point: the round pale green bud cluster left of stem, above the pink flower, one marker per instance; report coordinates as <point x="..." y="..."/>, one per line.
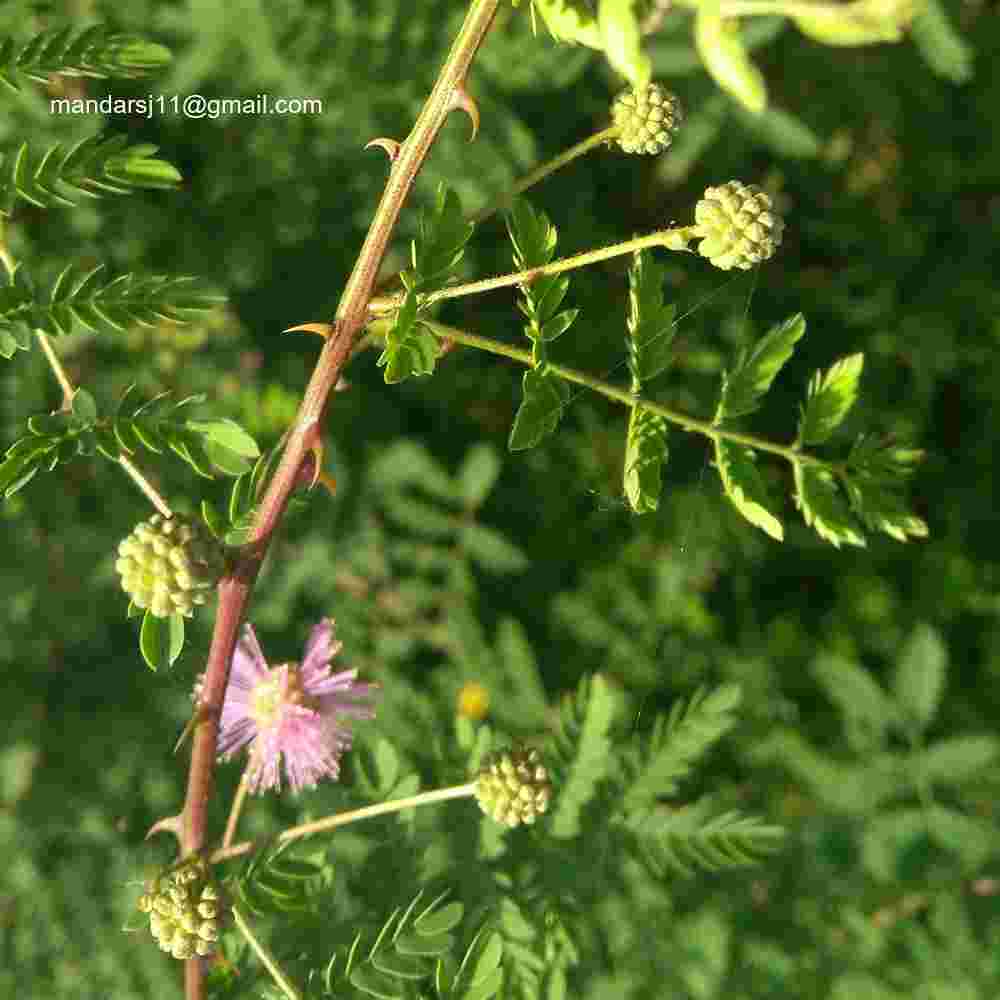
<point x="169" y="565"/>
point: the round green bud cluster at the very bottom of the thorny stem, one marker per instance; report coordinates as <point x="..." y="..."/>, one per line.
<point x="183" y="910"/>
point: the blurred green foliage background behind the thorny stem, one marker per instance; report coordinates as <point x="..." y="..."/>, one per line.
<point x="446" y="560"/>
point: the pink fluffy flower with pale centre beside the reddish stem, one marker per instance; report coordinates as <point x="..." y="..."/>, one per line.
<point x="297" y="712"/>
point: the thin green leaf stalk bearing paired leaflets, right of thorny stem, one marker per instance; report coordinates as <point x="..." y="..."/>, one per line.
<point x="692" y="424"/>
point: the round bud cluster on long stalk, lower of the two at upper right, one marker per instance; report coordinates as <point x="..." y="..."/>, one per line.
<point x="738" y="226"/>
